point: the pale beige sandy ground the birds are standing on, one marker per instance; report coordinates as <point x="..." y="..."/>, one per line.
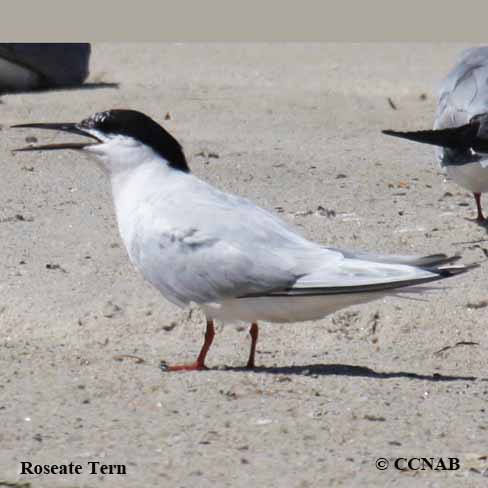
<point x="297" y="129"/>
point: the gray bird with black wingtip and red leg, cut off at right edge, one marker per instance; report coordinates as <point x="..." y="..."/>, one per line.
<point x="461" y="125"/>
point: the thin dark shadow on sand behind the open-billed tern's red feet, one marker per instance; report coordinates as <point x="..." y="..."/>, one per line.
<point x="351" y="371"/>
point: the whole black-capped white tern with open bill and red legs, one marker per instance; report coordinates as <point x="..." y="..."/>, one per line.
<point x="237" y="261"/>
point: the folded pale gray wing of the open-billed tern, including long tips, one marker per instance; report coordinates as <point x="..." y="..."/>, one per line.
<point x="230" y="248"/>
